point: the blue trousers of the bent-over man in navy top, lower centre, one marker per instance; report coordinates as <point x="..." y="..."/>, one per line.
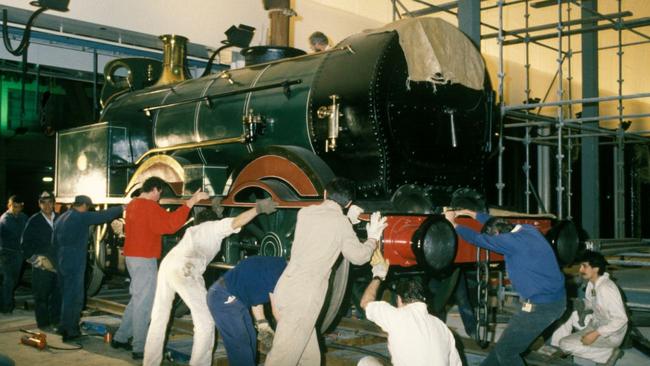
<point x="235" y="326"/>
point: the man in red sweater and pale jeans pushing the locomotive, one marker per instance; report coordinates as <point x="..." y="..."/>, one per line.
<point x="146" y="223"/>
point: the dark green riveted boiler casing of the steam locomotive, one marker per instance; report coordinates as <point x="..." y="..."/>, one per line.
<point x="392" y="133"/>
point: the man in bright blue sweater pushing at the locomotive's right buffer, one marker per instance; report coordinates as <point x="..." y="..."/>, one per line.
<point x="534" y="272"/>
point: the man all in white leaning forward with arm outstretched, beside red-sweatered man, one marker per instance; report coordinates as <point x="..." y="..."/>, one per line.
<point x="181" y="271"/>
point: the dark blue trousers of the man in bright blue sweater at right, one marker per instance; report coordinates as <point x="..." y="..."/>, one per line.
<point x="523" y="328"/>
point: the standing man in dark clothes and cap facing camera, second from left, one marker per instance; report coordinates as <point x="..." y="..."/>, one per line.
<point x="37" y="247"/>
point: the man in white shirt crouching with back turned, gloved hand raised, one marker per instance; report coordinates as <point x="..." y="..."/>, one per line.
<point x="415" y="337"/>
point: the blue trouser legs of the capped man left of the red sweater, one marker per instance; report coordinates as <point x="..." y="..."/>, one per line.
<point x="71" y="271"/>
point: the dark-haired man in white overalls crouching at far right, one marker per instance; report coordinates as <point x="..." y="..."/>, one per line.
<point x="598" y="334"/>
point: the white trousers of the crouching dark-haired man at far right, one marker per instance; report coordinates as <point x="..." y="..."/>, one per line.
<point x="569" y="342"/>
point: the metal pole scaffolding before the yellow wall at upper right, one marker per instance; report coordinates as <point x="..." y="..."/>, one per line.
<point x="563" y="131"/>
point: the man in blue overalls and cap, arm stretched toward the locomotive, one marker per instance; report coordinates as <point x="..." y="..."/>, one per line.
<point x="71" y="243"/>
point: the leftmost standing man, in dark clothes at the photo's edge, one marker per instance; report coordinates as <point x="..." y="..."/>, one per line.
<point x="12" y="223"/>
